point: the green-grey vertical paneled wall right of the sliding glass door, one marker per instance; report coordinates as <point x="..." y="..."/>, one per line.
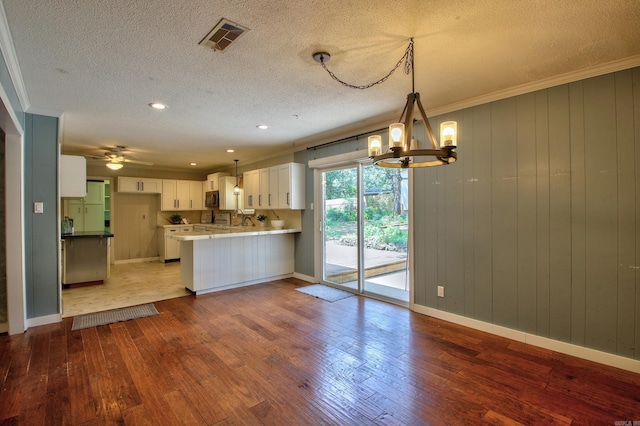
<point x="537" y="226"/>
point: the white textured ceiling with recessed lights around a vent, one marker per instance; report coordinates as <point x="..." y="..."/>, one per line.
<point x="101" y="62"/>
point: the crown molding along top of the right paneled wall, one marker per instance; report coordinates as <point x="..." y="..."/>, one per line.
<point x="570" y="77"/>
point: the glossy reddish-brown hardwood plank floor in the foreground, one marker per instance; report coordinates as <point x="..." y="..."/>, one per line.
<point x="268" y="354"/>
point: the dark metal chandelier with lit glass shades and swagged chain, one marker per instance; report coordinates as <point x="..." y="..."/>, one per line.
<point x="402" y="151"/>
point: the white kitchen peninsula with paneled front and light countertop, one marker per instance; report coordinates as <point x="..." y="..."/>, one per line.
<point x="220" y="258"/>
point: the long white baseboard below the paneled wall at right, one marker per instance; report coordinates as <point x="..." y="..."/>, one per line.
<point x="531" y="339"/>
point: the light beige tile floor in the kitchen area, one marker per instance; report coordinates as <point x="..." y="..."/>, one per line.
<point x="130" y="284"/>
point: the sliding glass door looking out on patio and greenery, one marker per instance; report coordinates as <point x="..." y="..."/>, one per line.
<point x="365" y="230"/>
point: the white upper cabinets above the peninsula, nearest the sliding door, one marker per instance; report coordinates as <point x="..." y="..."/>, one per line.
<point x="279" y="187"/>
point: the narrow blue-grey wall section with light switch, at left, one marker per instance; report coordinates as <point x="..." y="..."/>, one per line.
<point x="41" y="230"/>
